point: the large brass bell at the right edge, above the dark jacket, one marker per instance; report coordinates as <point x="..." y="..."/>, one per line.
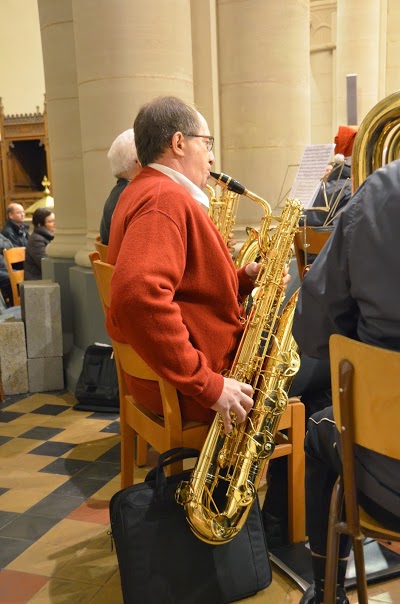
<point x="377" y="141"/>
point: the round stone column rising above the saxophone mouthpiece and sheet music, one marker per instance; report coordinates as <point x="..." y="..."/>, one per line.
<point x="265" y="96"/>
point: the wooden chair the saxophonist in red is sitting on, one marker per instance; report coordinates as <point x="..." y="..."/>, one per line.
<point x="170" y="432"/>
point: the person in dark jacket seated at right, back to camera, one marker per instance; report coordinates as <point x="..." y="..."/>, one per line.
<point x="351" y="290"/>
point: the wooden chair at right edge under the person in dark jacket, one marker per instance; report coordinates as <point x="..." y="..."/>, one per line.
<point x="365" y="390"/>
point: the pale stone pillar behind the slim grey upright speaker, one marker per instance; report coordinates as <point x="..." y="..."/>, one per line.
<point x="361" y="36"/>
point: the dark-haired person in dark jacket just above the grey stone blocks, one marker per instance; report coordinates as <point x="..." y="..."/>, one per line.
<point x="44" y="224"/>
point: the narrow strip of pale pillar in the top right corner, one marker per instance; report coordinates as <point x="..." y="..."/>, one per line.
<point x="393" y="47"/>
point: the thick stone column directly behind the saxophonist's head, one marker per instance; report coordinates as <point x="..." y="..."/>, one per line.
<point x="127" y="52"/>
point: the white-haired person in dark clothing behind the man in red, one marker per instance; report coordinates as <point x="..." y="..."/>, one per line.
<point x="124" y="167"/>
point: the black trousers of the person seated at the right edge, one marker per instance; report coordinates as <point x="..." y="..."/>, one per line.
<point x="323" y="466"/>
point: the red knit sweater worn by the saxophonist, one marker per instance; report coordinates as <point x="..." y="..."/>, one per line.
<point x="174" y="293"/>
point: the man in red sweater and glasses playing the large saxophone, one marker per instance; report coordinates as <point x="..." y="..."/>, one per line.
<point x="175" y="293"/>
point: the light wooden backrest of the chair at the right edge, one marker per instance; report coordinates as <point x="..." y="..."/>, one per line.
<point x="370" y="380"/>
